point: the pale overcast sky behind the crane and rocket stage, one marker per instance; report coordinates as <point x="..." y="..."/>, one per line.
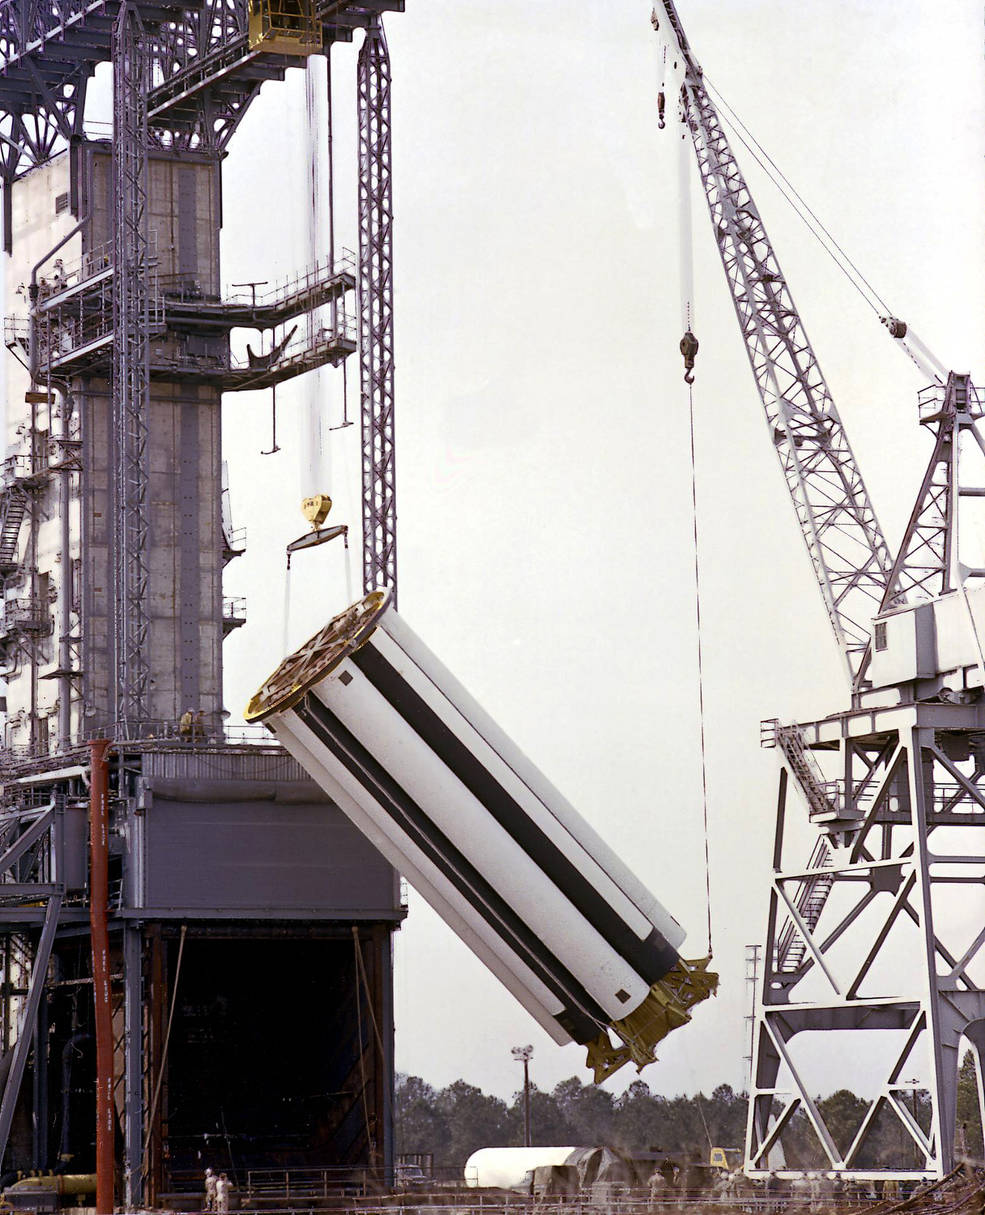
<point x="544" y="467"/>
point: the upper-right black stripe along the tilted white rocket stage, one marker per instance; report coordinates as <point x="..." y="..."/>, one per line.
<point x="652" y="958"/>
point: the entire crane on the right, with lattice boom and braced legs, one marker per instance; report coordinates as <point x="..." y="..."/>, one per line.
<point x="867" y="939"/>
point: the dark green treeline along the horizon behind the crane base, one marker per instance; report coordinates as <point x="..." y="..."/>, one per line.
<point x="452" y="1123"/>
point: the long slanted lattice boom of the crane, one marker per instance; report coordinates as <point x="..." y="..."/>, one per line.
<point x="847" y="549"/>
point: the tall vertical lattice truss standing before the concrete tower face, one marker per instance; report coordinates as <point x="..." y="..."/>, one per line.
<point x="132" y="374"/>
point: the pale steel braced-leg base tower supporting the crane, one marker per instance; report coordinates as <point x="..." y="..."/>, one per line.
<point x="893" y="943"/>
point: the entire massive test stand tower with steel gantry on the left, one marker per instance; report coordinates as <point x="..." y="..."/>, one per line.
<point x="114" y="536"/>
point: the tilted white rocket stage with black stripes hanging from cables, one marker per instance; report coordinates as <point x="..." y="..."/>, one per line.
<point x="451" y="803"/>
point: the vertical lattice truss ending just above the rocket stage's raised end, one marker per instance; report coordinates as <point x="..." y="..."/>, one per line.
<point x="380" y="493"/>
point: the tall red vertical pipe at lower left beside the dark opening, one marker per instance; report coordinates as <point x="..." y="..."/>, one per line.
<point x="99" y="903"/>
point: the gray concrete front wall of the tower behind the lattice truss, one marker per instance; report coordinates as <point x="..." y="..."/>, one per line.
<point x="185" y="560"/>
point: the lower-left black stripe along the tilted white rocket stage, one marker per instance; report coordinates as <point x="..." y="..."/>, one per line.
<point x="581" y="1016"/>
